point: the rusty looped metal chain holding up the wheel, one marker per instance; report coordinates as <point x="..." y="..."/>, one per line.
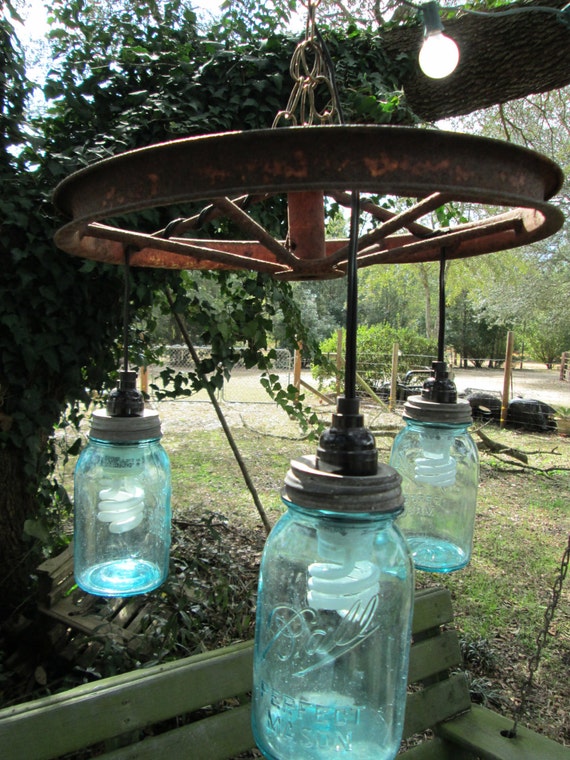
<point x="309" y="71"/>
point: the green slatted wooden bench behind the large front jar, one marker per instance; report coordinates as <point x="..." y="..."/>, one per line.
<point x="198" y="708"/>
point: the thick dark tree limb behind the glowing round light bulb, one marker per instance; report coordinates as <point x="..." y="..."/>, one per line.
<point x="502" y="59"/>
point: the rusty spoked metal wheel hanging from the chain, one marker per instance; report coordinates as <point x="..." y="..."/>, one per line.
<point x="232" y="171"/>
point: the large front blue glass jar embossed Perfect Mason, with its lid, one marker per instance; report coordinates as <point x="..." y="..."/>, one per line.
<point x="333" y="624"/>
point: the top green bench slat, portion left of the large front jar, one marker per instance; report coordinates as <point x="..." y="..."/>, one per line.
<point x="97" y="711"/>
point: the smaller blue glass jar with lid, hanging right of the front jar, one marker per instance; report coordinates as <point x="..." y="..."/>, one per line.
<point x="439" y="464"/>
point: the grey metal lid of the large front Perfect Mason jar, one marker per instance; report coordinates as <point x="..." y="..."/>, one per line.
<point x="307" y="486"/>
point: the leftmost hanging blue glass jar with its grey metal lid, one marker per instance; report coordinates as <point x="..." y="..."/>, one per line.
<point x="122" y="507"/>
